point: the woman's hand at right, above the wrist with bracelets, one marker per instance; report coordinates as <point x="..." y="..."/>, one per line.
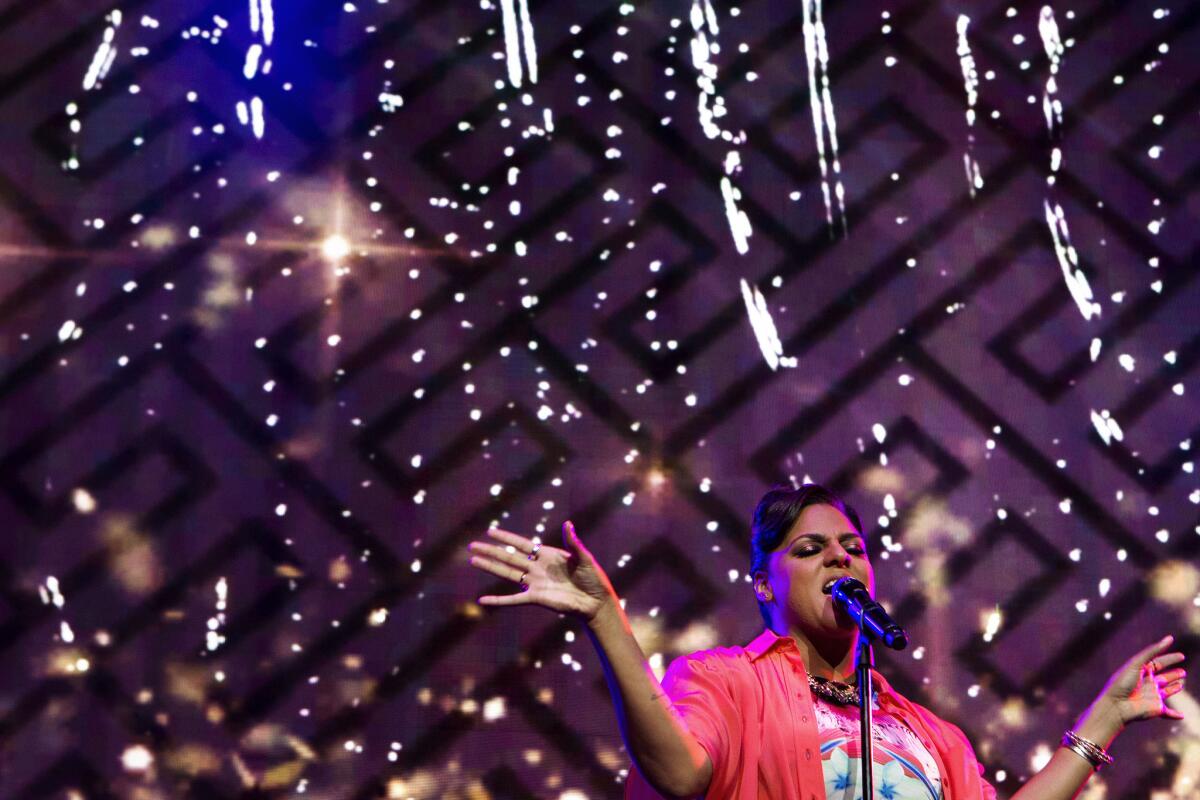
<point x="1141" y="688"/>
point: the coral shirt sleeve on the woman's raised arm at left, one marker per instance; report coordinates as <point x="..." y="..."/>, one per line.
<point x="700" y="690"/>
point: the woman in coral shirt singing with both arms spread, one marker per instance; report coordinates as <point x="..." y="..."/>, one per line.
<point x="778" y="718"/>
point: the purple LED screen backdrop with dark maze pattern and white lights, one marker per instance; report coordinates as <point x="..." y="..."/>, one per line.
<point x="298" y="298"/>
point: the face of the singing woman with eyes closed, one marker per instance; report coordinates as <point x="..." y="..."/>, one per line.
<point x="821" y="546"/>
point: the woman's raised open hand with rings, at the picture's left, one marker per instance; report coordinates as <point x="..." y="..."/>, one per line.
<point x="569" y="581"/>
